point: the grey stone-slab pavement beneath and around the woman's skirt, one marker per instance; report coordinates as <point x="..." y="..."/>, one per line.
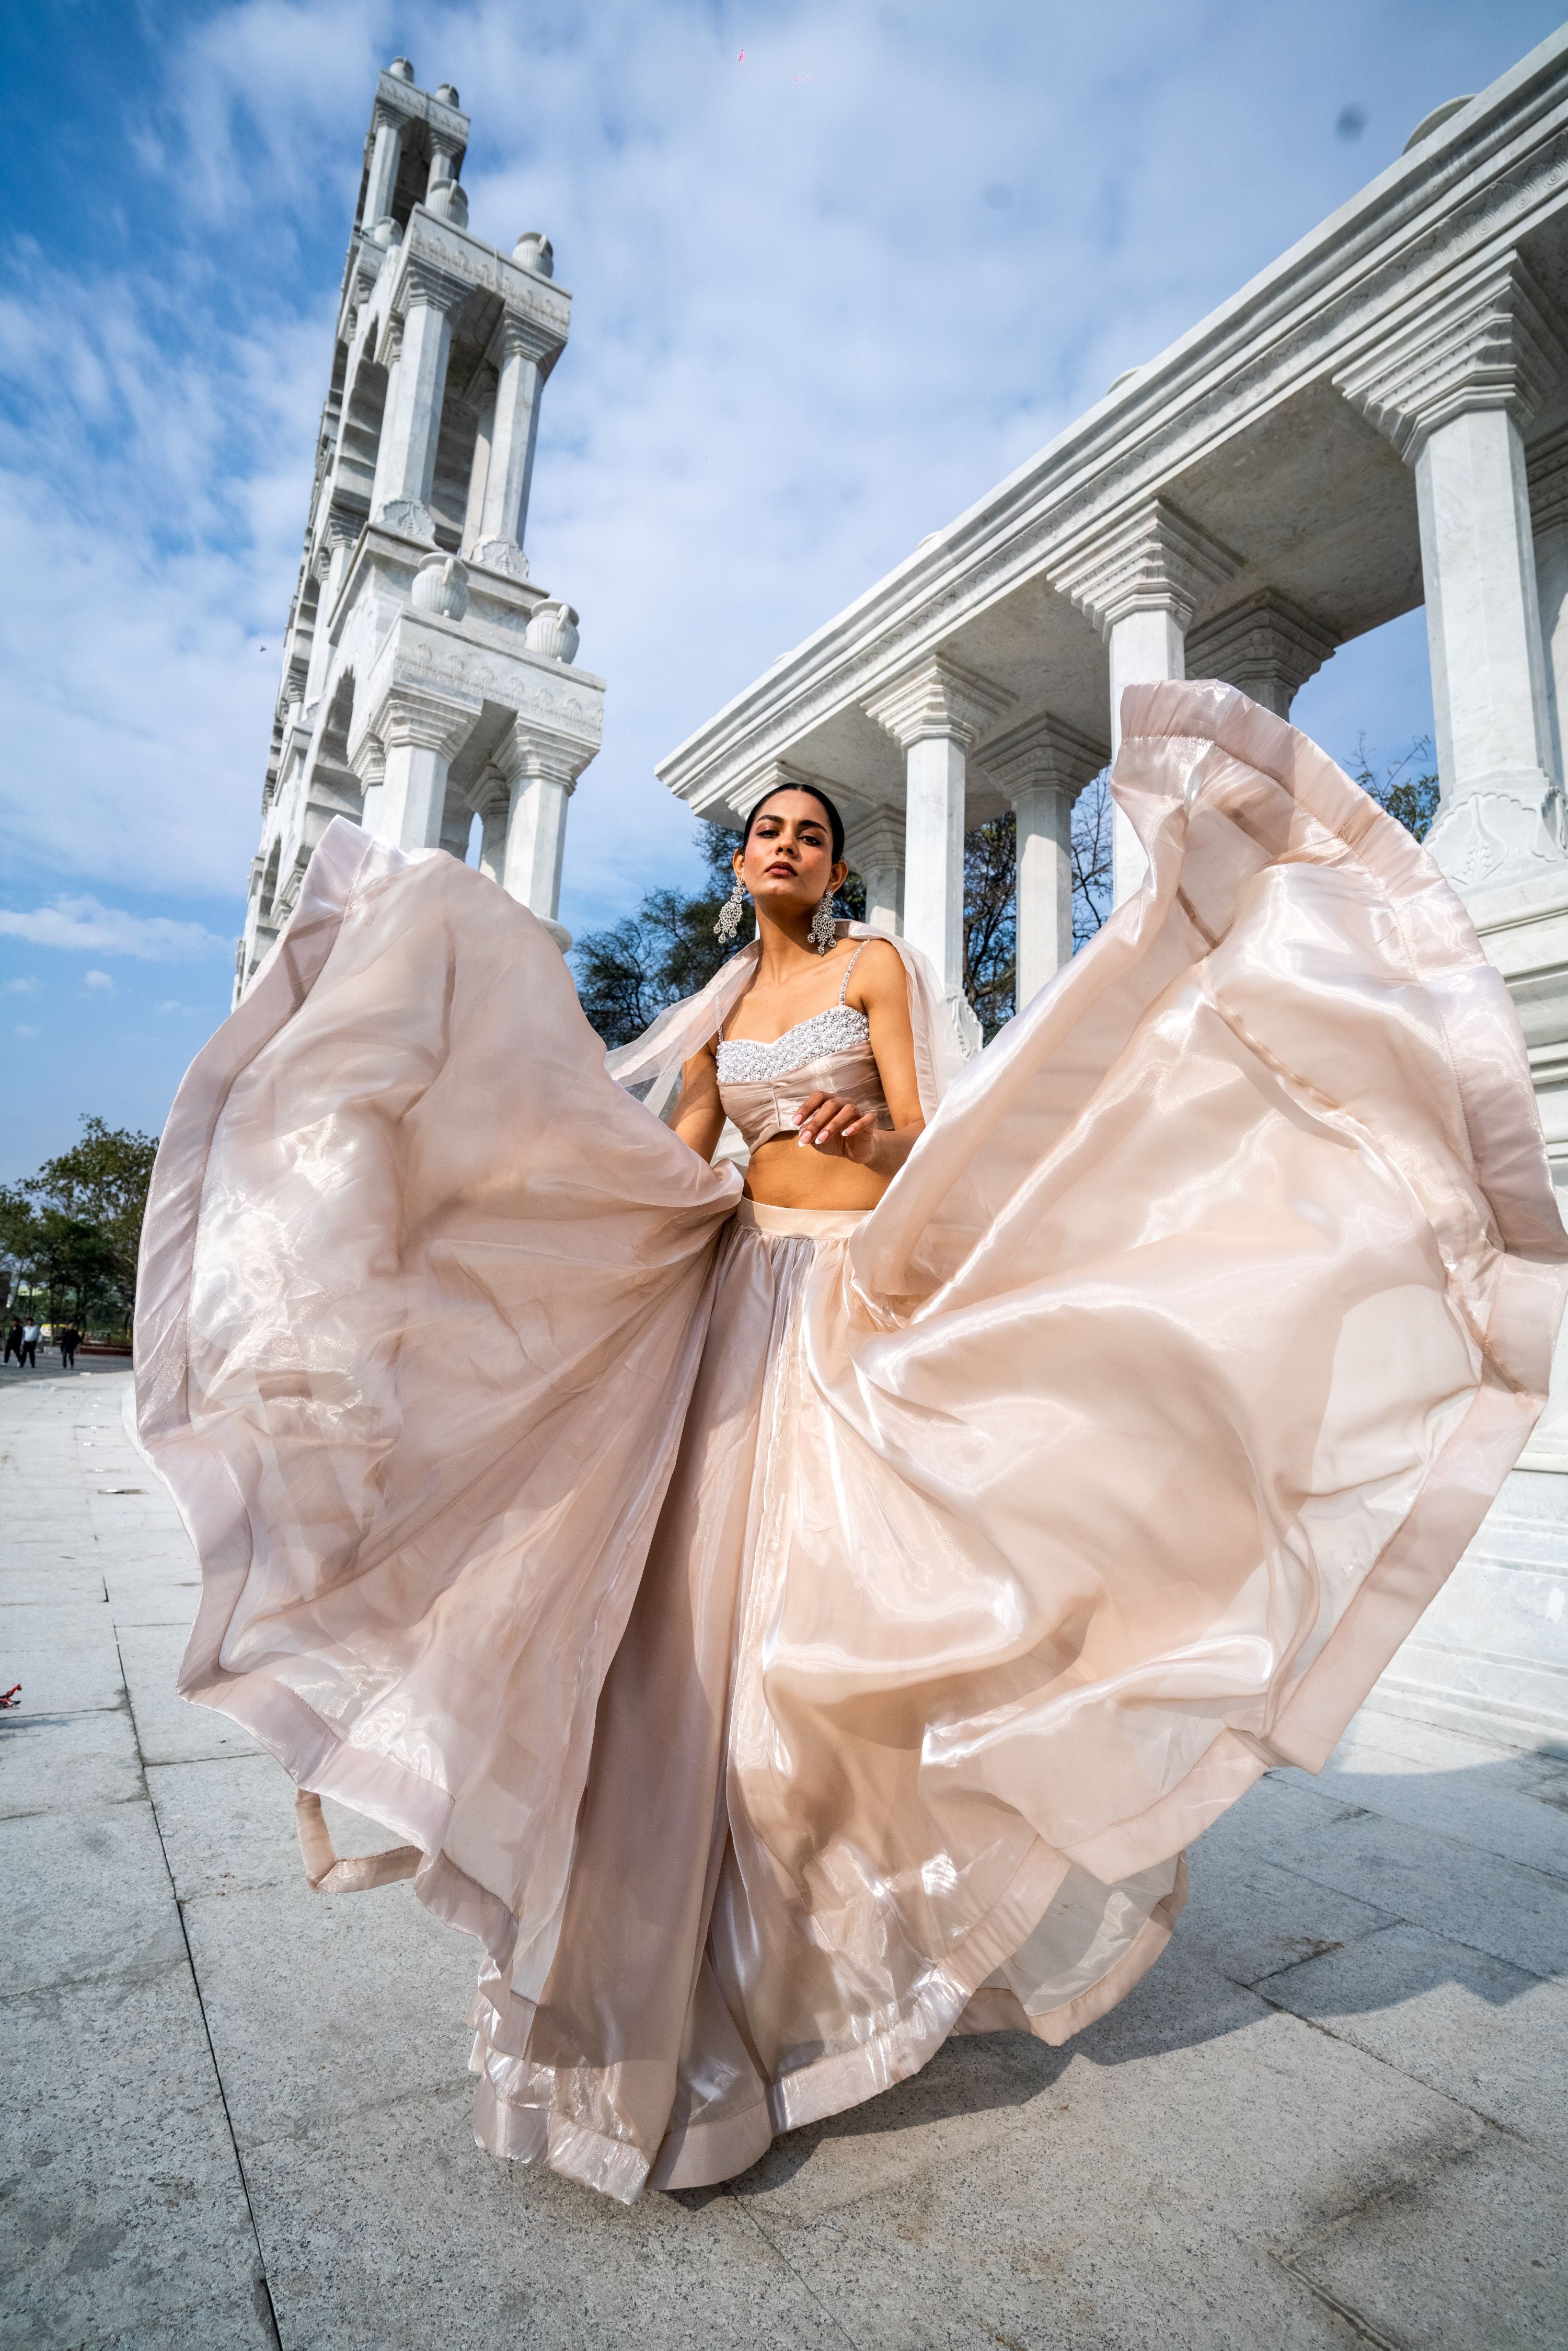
<point x="236" y="2115"/>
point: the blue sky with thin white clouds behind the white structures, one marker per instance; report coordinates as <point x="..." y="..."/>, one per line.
<point x="836" y="269"/>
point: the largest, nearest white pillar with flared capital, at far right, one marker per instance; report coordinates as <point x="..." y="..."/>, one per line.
<point x="1454" y="387"/>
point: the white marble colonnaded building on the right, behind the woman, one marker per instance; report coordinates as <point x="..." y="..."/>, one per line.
<point x="1376" y="422"/>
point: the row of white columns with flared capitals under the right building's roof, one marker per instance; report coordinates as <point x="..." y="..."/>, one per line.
<point x="1456" y="394"/>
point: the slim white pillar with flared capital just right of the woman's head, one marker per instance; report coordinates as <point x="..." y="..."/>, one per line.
<point x="937" y="714"/>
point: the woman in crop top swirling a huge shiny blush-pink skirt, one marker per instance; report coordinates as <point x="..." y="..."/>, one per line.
<point x="805" y="1619"/>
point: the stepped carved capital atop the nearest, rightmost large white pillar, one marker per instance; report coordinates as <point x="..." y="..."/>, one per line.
<point x="1482" y="342"/>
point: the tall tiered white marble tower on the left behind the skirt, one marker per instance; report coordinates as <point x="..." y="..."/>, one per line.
<point x="427" y="676"/>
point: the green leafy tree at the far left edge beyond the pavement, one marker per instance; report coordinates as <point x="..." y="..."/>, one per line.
<point x="69" y="1235"/>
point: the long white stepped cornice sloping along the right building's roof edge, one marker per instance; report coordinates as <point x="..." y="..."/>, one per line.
<point x="1480" y="182"/>
